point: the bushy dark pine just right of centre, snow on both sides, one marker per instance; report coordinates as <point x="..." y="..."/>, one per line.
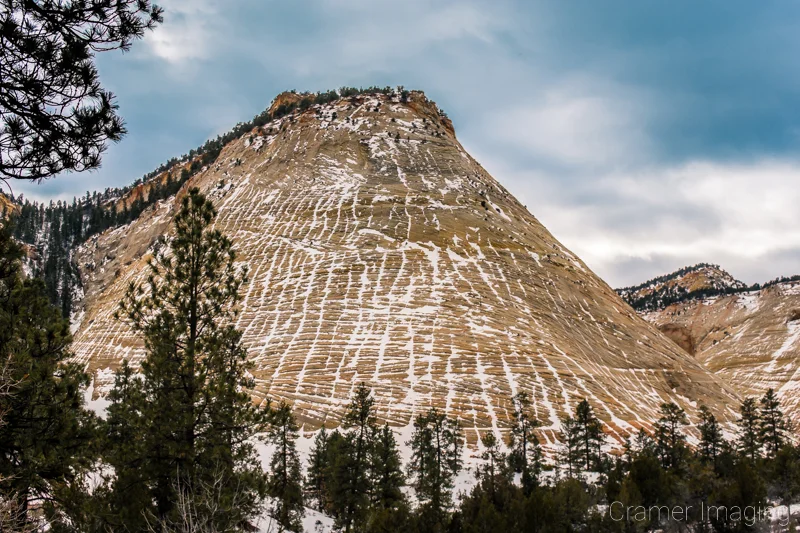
<point x="435" y="461"/>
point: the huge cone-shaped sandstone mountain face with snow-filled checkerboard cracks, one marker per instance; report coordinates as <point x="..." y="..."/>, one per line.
<point x="381" y="252"/>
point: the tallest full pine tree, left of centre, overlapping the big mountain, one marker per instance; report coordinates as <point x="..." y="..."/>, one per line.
<point x="194" y="405"/>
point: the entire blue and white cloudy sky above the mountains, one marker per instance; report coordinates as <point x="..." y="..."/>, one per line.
<point x="646" y="135"/>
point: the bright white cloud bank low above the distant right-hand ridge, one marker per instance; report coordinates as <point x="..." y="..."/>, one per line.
<point x="742" y="216"/>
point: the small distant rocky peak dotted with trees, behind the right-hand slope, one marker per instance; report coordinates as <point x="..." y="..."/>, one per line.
<point x="689" y="283"/>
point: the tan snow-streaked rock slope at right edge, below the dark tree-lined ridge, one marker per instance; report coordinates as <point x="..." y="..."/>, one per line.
<point x="751" y="339"/>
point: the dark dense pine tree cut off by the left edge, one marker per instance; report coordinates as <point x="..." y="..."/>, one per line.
<point x="46" y="433"/>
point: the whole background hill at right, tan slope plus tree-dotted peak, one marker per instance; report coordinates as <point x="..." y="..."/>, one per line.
<point x="749" y="336"/>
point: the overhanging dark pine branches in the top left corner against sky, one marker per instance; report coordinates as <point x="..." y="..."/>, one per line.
<point x="55" y="115"/>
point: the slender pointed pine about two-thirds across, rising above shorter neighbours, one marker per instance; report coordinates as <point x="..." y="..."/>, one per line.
<point x="526" y="453"/>
